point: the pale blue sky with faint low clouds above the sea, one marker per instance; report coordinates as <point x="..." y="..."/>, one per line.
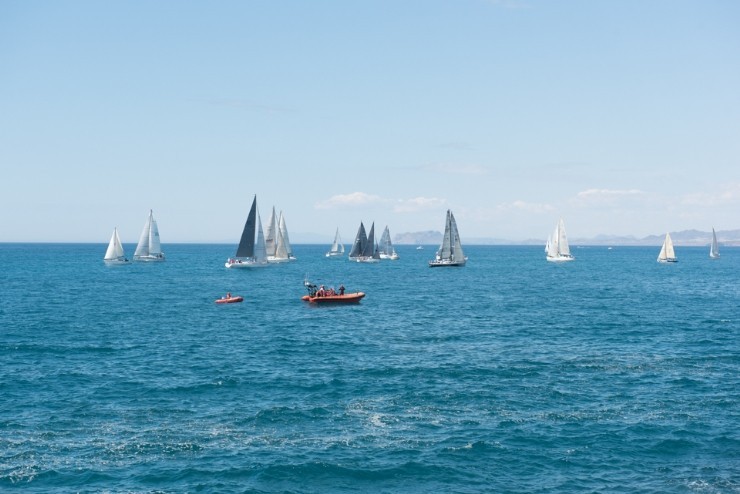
<point x="621" y="117"/>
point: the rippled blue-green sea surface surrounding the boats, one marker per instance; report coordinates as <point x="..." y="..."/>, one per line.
<point x="612" y="373"/>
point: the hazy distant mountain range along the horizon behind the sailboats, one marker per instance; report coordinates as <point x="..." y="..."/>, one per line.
<point x="685" y="237"/>
